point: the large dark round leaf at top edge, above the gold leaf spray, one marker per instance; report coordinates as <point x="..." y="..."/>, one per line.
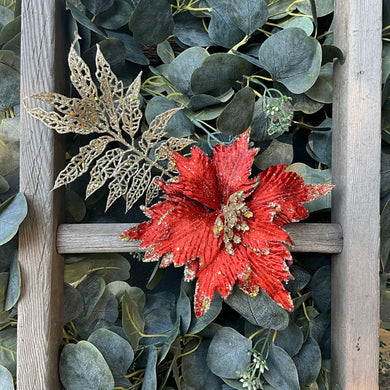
<point x="143" y="22"/>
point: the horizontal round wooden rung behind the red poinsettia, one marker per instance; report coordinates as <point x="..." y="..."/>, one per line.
<point x="104" y="238"/>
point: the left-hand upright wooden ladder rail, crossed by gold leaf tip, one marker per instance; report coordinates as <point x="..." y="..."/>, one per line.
<point x="40" y="305"/>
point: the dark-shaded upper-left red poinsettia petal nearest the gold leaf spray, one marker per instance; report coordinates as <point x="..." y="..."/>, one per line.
<point x="197" y="178"/>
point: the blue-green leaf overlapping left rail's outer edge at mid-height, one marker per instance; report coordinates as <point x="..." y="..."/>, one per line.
<point x="12" y="213"/>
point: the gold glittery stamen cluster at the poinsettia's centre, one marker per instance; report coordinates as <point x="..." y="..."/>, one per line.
<point x="232" y="219"/>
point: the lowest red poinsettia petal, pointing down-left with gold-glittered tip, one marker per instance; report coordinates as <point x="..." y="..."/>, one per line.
<point x="218" y="275"/>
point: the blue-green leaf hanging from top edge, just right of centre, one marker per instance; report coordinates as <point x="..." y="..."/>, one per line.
<point x="222" y="31"/>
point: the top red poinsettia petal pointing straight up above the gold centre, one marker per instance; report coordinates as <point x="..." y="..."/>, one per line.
<point x="233" y="167"/>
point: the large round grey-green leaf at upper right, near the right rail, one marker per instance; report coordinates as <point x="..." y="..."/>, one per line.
<point x="292" y="58"/>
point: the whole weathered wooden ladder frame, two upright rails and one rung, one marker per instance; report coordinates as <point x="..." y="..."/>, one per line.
<point x="355" y="297"/>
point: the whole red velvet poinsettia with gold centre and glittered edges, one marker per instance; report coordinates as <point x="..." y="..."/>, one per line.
<point x="224" y="226"/>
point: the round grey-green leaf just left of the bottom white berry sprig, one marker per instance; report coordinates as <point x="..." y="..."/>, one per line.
<point x="228" y="353"/>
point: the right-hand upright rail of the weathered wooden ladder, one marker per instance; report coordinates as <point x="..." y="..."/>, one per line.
<point x="356" y="173"/>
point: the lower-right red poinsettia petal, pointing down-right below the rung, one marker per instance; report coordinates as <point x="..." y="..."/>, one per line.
<point x="269" y="271"/>
